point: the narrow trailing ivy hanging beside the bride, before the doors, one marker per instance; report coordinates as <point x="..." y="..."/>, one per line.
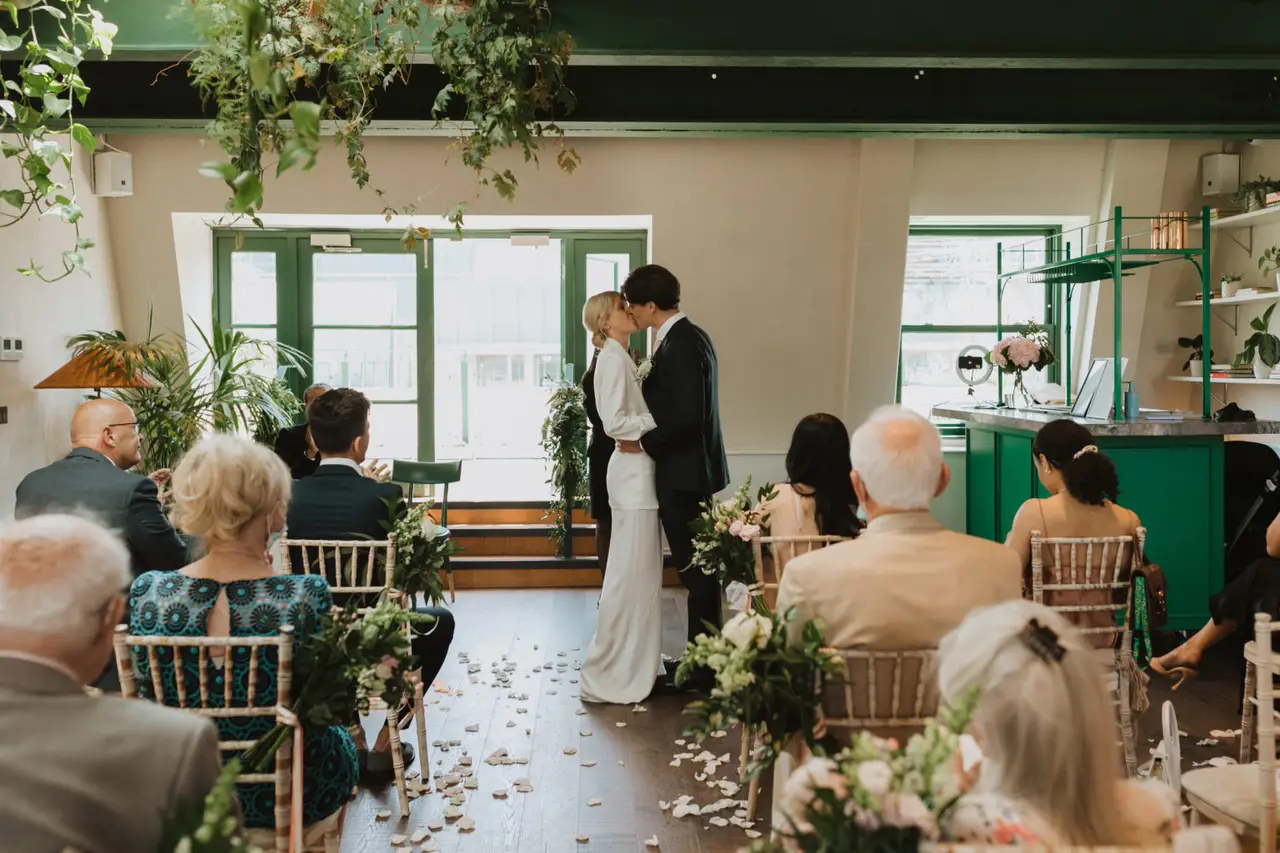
<point x="564" y="443"/>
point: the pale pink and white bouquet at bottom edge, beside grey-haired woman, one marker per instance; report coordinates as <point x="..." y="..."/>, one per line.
<point x="877" y="795"/>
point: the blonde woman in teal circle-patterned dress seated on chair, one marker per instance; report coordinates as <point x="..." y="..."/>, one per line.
<point x="234" y="494"/>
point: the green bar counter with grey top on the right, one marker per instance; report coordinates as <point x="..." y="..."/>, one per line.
<point x="1171" y="475"/>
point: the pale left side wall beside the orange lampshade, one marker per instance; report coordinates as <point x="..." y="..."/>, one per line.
<point x="44" y="317"/>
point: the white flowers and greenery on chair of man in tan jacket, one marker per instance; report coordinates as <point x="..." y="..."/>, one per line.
<point x="761" y="682"/>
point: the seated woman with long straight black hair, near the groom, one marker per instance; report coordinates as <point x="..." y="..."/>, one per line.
<point x="819" y="498"/>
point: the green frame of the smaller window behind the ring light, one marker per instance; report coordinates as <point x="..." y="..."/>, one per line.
<point x="1011" y="236"/>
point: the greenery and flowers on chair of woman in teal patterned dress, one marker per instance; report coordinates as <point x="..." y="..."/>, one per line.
<point x="340" y="668"/>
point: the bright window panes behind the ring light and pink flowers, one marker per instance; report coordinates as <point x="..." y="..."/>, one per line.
<point x="949" y="303"/>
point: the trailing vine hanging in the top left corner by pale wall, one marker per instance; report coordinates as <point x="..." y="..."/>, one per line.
<point x="39" y="95"/>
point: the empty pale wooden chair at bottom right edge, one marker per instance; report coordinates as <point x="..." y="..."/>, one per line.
<point x="1244" y="797"/>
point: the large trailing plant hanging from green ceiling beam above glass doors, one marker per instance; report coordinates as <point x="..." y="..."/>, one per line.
<point x="276" y="70"/>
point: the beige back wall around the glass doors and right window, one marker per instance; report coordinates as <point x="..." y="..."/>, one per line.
<point x="792" y="252"/>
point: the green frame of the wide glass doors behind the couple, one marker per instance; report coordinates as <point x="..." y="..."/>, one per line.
<point x="294" y="256"/>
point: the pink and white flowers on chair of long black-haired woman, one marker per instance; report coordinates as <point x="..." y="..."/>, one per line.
<point x="724" y="535"/>
